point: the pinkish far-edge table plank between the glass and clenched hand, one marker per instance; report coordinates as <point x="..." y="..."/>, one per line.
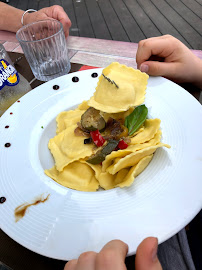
<point x="101" y="46"/>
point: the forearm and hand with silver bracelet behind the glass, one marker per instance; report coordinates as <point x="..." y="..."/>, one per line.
<point x="10" y="17"/>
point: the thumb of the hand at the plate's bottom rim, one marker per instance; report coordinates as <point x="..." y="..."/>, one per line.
<point x="146" y="256"/>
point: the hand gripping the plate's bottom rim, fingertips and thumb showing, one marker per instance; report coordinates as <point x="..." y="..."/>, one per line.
<point x="112" y="257"/>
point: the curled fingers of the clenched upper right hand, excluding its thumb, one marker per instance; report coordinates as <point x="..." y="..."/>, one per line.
<point x="161" y="46"/>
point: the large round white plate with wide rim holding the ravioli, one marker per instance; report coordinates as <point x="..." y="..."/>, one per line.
<point x="161" y="201"/>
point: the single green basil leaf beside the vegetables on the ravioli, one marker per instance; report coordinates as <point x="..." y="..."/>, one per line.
<point x="134" y="120"/>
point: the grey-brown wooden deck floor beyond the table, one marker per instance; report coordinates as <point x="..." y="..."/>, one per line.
<point x="130" y="20"/>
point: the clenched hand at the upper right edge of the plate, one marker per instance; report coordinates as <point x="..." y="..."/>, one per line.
<point x="168" y="57"/>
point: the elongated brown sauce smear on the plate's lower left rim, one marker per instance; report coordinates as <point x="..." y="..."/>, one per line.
<point x="20" y="211"/>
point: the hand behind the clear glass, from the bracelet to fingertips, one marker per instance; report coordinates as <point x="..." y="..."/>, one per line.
<point x="54" y="12"/>
